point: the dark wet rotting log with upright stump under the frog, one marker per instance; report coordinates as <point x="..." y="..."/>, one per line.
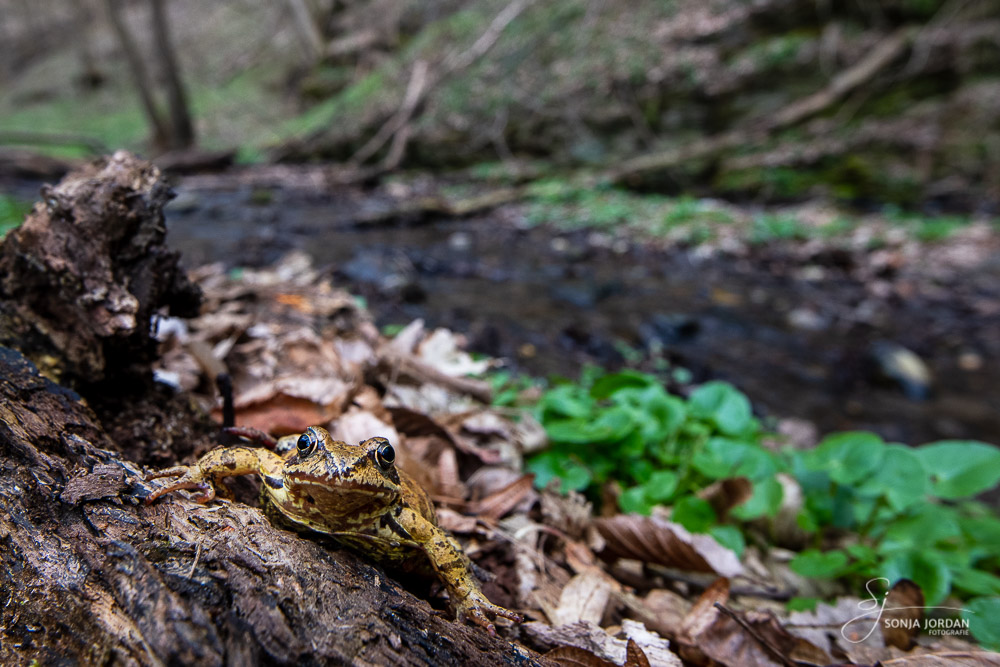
<point x="90" y="573"/>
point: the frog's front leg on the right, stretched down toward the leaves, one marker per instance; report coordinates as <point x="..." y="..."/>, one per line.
<point x="454" y="569"/>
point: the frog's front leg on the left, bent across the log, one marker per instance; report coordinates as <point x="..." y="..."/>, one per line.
<point x="219" y="463"/>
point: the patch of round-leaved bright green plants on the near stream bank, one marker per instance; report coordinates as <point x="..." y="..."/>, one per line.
<point x="875" y="509"/>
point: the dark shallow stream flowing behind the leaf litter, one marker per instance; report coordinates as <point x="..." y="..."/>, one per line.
<point x="795" y="330"/>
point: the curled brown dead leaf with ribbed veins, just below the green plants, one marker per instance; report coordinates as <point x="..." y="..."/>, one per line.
<point x="655" y="540"/>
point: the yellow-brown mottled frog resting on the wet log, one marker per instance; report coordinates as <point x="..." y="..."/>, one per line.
<point x="353" y="493"/>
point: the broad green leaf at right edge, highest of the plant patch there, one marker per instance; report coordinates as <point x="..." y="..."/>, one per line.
<point x="961" y="468"/>
